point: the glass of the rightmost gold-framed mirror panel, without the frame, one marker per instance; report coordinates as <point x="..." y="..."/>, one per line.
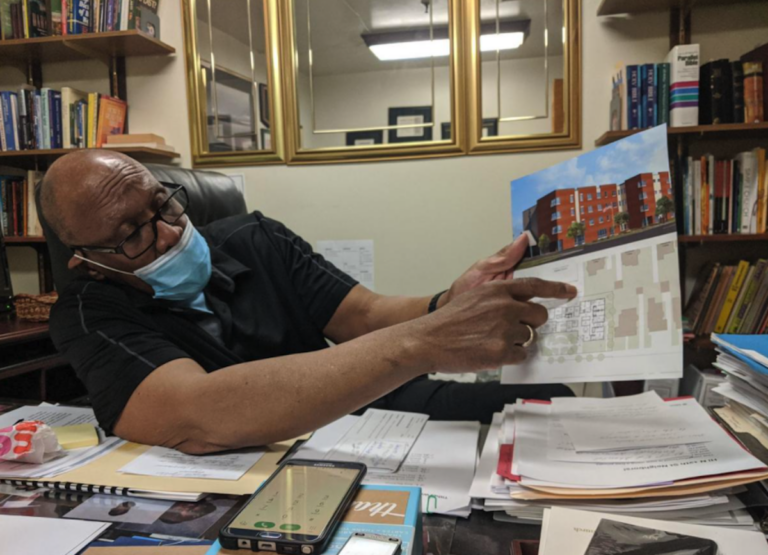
<point x="523" y="77"/>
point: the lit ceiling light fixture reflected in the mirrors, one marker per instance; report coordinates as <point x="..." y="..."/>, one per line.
<point x="414" y="44"/>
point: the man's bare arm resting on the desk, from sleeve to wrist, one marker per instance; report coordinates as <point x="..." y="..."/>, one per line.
<point x="261" y="402"/>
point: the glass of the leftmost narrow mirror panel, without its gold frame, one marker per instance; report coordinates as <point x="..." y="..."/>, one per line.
<point x="231" y="43"/>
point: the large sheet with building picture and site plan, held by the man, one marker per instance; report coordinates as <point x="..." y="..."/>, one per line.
<point x="604" y="222"/>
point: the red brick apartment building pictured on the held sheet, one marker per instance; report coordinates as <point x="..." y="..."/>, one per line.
<point x="596" y="207"/>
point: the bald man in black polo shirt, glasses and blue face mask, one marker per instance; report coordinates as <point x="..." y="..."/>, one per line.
<point x="216" y="338"/>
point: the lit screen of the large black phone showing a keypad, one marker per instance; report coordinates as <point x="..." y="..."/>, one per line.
<point x="299" y="500"/>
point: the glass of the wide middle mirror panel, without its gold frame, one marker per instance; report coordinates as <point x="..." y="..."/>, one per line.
<point x="372" y="72"/>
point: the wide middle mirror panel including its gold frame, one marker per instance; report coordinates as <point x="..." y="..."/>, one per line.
<point x="372" y="79"/>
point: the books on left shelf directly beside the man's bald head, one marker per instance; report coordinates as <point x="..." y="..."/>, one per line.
<point x="18" y="211"/>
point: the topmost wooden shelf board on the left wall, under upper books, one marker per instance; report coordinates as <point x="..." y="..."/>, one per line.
<point x="78" y="47"/>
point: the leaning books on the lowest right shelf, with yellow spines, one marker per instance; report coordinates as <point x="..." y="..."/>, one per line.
<point x="729" y="299"/>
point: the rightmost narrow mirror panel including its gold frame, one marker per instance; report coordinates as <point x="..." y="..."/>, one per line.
<point x="524" y="75"/>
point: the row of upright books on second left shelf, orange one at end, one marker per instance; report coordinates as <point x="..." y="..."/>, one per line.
<point x="47" y="119"/>
